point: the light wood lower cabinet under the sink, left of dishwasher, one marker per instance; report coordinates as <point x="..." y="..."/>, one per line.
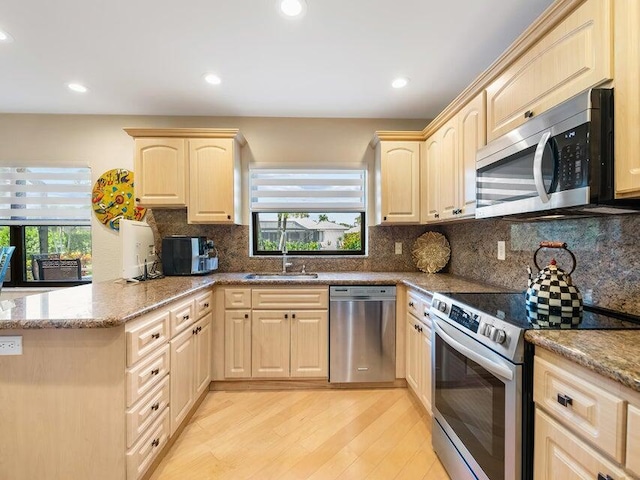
<point x="276" y="333"/>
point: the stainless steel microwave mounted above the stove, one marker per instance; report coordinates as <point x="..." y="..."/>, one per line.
<point x="559" y="161"/>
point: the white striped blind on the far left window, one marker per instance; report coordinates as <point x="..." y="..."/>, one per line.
<point x="45" y="196"/>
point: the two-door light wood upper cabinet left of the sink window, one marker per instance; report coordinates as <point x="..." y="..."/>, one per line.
<point x="196" y="168"/>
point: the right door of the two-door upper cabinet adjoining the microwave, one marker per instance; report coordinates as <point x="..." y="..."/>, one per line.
<point x="472" y="135"/>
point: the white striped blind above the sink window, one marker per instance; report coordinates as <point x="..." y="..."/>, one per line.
<point x="291" y="190"/>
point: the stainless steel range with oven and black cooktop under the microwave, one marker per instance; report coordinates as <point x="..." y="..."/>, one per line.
<point x="482" y="383"/>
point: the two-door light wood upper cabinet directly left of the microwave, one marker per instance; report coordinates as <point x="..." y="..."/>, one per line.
<point x="449" y="165"/>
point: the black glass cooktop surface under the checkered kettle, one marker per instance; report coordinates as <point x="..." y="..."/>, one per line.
<point x="511" y="307"/>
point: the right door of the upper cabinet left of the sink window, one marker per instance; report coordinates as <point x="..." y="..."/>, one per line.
<point x="211" y="181"/>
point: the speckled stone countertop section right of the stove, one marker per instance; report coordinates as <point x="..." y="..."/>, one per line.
<point x="611" y="353"/>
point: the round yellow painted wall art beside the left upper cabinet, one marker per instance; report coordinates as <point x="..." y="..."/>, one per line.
<point x="112" y="198"/>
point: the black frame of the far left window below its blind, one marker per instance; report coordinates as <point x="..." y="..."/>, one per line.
<point x="18" y="262"/>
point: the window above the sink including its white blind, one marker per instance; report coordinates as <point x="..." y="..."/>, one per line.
<point x="308" y="212"/>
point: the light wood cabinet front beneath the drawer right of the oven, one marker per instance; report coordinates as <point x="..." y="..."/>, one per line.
<point x="558" y="454"/>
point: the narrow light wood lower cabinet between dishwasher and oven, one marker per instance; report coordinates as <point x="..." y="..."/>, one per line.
<point x="418" y="347"/>
